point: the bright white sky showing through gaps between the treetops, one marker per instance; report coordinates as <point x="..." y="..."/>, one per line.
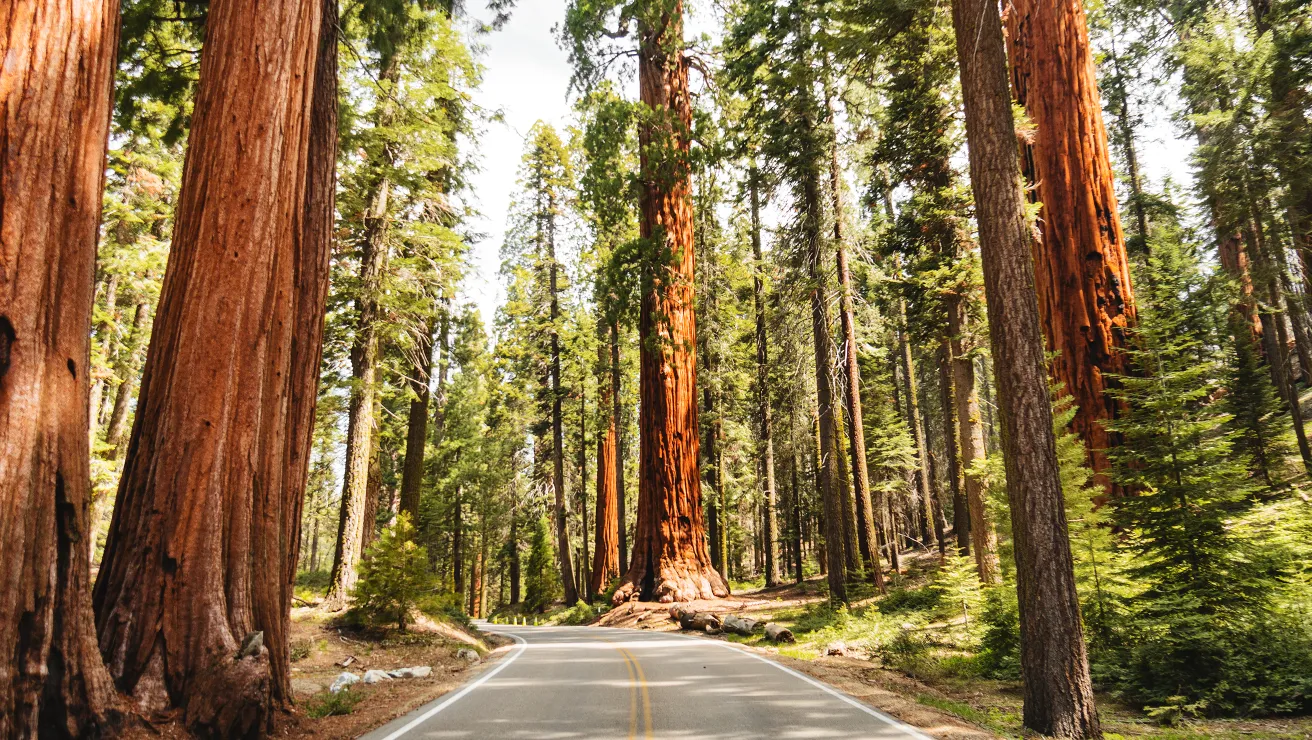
<point x="527" y="77"/>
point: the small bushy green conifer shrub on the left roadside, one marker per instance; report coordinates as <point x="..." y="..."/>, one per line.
<point x="393" y="578"/>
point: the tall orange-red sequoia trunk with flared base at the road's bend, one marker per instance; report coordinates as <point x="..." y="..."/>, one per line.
<point x="670" y="560"/>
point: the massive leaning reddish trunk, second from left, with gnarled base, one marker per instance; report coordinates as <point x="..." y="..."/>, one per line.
<point x="203" y="548"/>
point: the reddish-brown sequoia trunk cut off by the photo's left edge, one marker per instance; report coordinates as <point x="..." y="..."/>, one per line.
<point x="56" y="86"/>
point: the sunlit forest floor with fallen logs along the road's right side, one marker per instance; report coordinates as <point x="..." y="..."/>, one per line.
<point x="901" y="661"/>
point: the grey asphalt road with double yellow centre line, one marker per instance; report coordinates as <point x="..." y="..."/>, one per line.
<point x="591" y="683"/>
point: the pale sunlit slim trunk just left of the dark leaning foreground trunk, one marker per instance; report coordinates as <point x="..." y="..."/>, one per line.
<point x="972" y="435"/>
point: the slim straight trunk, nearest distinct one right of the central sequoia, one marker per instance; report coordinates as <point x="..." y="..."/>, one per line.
<point x="763" y="392"/>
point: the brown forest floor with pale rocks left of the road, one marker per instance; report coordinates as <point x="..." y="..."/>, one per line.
<point x="322" y="649"/>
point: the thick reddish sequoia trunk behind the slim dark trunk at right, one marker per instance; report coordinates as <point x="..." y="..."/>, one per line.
<point x="1082" y="268"/>
